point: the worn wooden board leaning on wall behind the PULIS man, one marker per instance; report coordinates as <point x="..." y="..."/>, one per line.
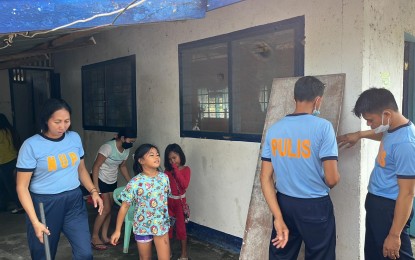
<point x="281" y="102"/>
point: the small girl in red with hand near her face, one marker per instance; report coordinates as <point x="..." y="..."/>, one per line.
<point x="179" y="176"/>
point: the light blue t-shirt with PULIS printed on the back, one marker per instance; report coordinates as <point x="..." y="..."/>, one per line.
<point x="297" y="145"/>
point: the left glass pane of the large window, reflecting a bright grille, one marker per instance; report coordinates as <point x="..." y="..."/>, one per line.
<point x="205" y="87"/>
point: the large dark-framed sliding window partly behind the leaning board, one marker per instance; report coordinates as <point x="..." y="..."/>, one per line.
<point x="225" y="81"/>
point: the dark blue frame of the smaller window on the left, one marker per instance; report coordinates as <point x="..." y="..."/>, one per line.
<point x="102" y="65"/>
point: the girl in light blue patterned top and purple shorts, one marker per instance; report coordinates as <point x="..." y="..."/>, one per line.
<point x="148" y="192"/>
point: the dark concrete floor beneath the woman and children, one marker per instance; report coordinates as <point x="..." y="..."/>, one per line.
<point x="13" y="244"/>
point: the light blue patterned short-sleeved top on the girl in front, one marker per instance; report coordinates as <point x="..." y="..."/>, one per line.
<point x="149" y="197"/>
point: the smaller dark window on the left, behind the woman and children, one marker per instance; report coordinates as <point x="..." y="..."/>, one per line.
<point x="108" y="95"/>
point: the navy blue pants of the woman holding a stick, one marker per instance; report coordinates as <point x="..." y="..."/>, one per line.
<point x="64" y="212"/>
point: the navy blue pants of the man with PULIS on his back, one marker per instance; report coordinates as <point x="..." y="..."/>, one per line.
<point x="308" y="220"/>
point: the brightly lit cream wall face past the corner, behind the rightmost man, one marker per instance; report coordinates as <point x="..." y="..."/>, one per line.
<point x="385" y="25"/>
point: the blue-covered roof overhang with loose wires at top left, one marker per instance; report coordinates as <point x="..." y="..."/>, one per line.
<point x="33" y="29"/>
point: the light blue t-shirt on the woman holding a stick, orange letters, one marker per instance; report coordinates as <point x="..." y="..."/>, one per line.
<point x="54" y="162"/>
